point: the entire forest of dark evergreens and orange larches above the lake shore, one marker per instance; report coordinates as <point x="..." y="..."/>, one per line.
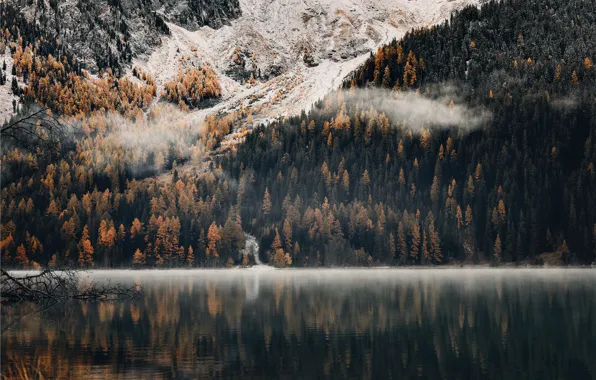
<point x="345" y="184"/>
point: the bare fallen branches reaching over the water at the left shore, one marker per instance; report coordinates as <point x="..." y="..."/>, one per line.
<point x="51" y="286"/>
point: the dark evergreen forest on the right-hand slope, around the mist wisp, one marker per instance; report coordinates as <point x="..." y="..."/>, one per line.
<point x="351" y="187"/>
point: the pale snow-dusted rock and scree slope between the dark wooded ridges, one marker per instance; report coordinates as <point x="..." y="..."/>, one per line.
<point x="301" y="48"/>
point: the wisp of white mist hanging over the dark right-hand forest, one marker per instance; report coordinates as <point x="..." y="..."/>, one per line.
<point x="417" y="111"/>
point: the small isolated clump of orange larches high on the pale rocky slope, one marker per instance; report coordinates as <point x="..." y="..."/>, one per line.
<point x="191" y="87"/>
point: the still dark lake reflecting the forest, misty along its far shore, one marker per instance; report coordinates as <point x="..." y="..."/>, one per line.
<point x="307" y="324"/>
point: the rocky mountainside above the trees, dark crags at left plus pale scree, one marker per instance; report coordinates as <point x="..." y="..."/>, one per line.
<point x="296" y="50"/>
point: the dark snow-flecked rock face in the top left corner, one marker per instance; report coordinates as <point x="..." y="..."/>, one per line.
<point x="108" y="33"/>
